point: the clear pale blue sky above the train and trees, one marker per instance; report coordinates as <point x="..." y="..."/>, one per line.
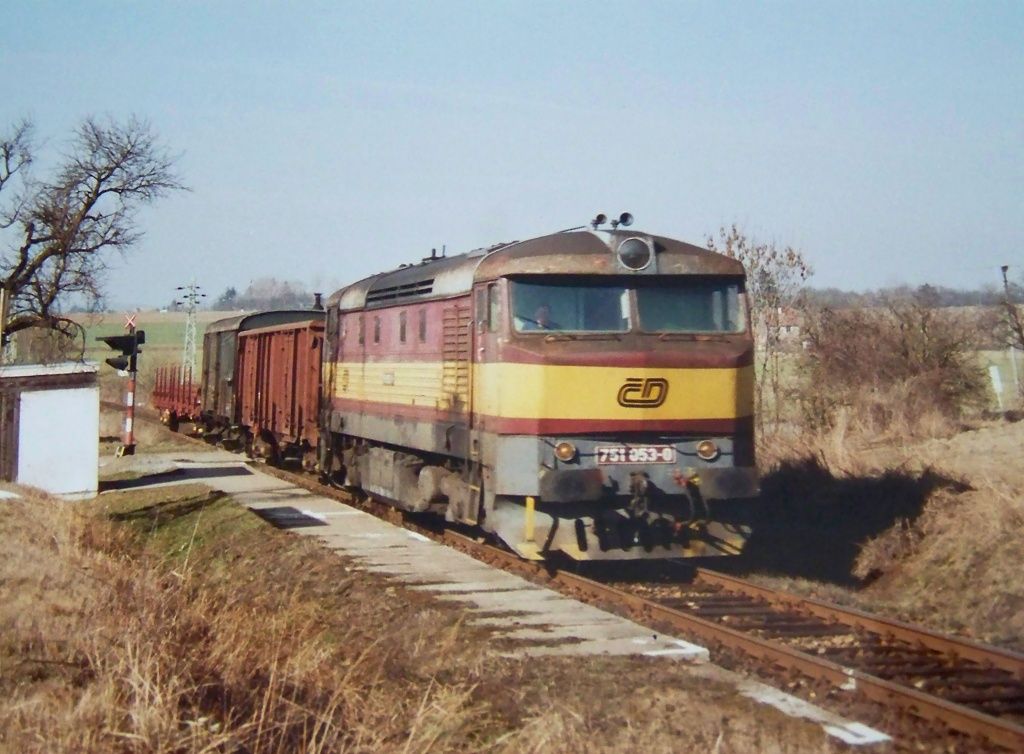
<point x="327" y="142"/>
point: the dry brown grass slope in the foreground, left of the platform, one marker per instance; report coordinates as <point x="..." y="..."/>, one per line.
<point x="175" y="621"/>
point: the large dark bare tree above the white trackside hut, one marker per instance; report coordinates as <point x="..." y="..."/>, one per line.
<point x="57" y="234"/>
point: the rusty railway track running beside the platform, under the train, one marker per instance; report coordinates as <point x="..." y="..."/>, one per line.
<point x="970" y="688"/>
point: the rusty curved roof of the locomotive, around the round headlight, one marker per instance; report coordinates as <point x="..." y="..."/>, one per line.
<point x="588" y="253"/>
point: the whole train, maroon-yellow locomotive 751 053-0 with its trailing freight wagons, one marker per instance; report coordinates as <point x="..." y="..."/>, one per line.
<point x="588" y="393"/>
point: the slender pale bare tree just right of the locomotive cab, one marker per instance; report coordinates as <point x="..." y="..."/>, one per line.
<point x="776" y="279"/>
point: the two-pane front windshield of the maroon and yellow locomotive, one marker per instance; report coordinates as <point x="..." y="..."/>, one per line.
<point x="682" y="305"/>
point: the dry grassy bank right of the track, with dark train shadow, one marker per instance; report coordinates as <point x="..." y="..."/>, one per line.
<point x="920" y="530"/>
